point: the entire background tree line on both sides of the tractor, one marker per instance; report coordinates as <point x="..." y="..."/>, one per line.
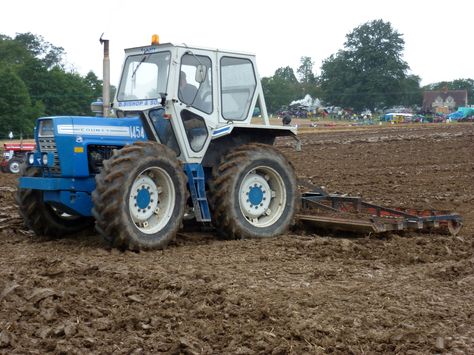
<point x="368" y="73"/>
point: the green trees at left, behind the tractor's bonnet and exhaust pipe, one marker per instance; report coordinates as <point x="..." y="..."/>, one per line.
<point x="34" y="82"/>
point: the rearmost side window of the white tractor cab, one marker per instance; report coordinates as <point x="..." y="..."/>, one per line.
<point x="238" y="85"/>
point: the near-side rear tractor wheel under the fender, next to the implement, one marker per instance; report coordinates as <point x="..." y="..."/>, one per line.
<point x="253" y="193"/>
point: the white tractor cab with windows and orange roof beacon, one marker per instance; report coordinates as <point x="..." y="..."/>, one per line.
<point x="201" y="95"/>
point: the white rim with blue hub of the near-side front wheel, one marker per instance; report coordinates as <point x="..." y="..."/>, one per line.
<point x="152" y="199"/>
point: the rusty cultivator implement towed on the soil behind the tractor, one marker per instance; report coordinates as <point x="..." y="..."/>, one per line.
<point x="352" y="214"/>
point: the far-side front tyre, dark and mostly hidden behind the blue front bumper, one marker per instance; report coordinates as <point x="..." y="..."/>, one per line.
<point x="41" y="217"/>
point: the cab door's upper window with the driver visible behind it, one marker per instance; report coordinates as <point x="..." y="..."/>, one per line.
<point x="195" y="82"/>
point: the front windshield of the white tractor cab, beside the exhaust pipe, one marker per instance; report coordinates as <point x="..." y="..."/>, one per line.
<point x="144" y="76"/>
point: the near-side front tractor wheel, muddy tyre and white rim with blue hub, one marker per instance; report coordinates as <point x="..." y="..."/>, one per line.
<point x="140" y="197"/>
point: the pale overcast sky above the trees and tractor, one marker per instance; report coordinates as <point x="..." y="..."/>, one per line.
<point x="437" y="34"/>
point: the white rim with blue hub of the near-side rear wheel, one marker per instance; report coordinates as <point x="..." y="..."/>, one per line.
<point x="262" y="196"/>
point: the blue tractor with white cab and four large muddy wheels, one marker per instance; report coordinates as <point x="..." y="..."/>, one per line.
<point x="177" y="143"/>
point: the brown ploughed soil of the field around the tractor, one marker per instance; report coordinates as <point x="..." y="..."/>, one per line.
<point x="305" y="292"/>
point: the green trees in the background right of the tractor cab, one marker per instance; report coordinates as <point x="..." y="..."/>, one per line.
<point x="368" y="73"/>
